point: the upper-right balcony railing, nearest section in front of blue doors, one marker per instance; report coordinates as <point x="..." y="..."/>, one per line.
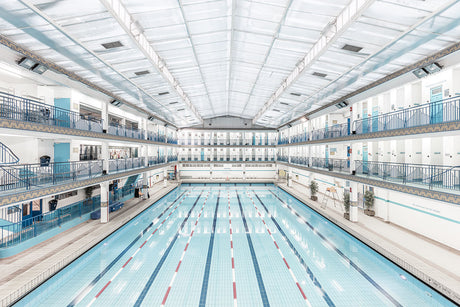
<point x="442" y="111"/>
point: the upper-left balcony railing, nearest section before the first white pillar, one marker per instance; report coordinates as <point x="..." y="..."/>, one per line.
<point x="28" y="110"/>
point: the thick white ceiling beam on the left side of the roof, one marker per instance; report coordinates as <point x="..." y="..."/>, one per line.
<point x="134" y="31"/>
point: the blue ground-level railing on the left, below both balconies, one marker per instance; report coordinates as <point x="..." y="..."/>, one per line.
<point x="15" y="233"/>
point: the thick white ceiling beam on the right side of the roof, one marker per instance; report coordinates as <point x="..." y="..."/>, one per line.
<point x="330" y="34"/>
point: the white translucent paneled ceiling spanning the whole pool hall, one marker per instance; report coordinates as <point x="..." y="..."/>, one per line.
<point x="231" y="57"/>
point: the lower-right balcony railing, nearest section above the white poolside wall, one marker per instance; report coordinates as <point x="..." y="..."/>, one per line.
<point x="433" y="176"/>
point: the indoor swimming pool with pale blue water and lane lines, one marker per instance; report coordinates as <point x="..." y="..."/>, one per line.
<point x="232" y="245"/>
